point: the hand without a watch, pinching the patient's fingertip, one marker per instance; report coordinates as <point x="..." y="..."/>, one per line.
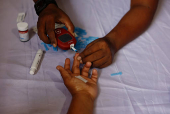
<point x="100" y="53"/>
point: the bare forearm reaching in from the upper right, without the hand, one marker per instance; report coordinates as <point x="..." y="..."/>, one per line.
<point x="134" y="23"/>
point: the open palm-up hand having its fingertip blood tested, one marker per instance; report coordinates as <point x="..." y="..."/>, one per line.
<point x="75" y="85"/>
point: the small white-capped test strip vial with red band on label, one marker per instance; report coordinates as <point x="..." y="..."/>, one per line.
<point x="23" y="31"/>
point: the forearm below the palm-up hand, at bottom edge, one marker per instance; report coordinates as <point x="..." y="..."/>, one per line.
<point x="81" y="104"/>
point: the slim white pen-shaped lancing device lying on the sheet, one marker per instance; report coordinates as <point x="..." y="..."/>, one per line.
<point x="36" y="62"/>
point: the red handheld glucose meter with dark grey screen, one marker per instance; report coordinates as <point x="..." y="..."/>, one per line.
<point x="64" y="38"/>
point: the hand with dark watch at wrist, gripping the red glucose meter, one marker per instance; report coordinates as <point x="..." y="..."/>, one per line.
<point x="46" y="23"/>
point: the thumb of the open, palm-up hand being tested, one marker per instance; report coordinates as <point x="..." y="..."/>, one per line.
<point x="65" y="75"/>
